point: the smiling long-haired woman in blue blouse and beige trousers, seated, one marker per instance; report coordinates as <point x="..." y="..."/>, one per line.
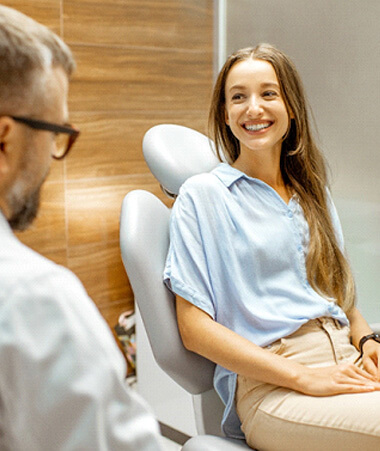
<point x="262" y="285"/>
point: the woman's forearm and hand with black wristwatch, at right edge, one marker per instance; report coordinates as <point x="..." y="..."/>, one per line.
<point x="371" y="349"/>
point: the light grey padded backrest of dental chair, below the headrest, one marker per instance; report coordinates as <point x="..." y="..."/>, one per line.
<point x="144" y="241"/>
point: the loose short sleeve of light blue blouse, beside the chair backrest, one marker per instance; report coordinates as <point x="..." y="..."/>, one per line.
<point x="187" y="271"/>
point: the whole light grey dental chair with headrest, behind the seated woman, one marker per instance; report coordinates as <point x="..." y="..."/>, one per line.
<point x="173" y="153"/>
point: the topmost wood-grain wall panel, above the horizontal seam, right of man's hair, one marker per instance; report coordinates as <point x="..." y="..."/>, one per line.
<point x="160" y="24"/>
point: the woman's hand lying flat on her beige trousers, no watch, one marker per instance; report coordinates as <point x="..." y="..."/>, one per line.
<point x="338" y="379"/>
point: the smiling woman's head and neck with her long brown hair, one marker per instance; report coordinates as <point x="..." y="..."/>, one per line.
<point x="299" y="166"/>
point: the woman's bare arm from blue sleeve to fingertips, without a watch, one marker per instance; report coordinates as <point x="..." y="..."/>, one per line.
<point x="202" y="335"/>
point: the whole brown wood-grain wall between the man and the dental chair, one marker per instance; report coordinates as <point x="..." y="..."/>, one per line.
<point x="140" y="63"/>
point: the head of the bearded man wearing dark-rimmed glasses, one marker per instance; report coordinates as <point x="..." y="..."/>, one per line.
<point x="35" y="66"/>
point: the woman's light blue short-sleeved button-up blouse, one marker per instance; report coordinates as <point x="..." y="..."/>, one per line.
<point x="238" y="252"/>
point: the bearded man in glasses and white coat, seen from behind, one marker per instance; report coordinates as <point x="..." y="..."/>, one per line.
<point x="62" y="377"/>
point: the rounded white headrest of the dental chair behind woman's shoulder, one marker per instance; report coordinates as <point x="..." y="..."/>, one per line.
<point x="174" y="153"/>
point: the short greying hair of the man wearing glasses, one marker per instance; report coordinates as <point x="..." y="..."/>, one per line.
<point x="28" y="51"/>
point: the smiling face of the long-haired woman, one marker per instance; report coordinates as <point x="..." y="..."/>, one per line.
<point x="255" y="110"/>
